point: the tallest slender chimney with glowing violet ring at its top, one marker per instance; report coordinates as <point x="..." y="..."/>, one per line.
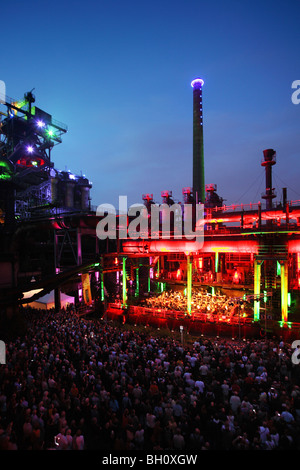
<point x="198" y="154"/>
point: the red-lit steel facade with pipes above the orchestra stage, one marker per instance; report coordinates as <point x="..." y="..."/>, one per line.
<point x="246" y="249"/>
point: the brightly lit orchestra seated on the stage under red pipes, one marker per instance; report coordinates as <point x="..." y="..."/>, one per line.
<point x="201" y="302"/>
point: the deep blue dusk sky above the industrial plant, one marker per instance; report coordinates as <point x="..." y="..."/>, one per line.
<point x="118" y="73"/>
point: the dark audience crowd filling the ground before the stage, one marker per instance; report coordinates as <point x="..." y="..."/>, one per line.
<point x="73" y="383"/>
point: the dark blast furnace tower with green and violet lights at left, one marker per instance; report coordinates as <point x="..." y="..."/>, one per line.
<point x="28" y="135"/>
